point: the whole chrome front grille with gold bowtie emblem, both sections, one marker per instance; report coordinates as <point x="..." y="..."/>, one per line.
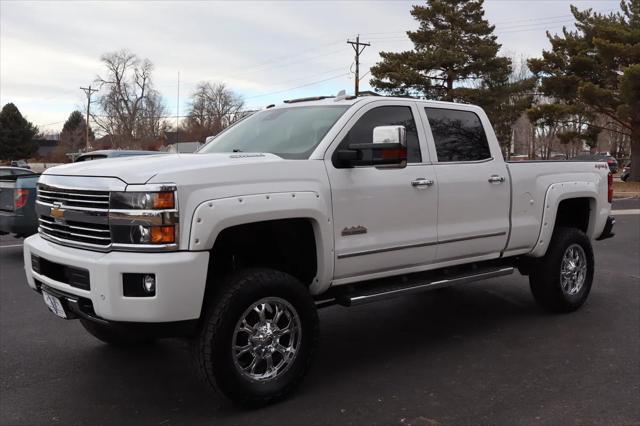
<point x="74" y="216"/>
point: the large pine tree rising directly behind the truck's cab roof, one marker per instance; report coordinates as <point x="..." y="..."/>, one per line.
<point x="455" y="58"/>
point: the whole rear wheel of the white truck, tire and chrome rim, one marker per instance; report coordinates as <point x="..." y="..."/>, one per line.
<point x="561" y="280"/>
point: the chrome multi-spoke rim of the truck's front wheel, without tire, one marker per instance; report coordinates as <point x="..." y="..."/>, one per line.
<point x="266" y="339"/>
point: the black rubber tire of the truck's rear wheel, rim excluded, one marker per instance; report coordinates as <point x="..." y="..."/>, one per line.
<point x="545" y="274"/>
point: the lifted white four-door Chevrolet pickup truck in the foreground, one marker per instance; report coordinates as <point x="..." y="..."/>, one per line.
<point x="319" y="201"/>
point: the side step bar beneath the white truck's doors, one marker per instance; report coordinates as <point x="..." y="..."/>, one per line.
<point x="355" y="299"/>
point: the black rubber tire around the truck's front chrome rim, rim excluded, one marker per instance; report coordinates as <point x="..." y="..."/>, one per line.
<point x="212" y="348"/>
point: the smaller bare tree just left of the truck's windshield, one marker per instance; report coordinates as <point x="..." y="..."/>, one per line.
<point x="213" y="107"/>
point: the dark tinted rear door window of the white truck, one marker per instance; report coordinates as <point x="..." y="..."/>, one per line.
<point x="458" y="135"/>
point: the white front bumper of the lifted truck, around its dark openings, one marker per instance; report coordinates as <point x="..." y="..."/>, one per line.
<point x="180" y="281"/>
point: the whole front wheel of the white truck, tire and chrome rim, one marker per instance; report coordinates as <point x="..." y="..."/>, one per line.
<point x="258" y="338"/>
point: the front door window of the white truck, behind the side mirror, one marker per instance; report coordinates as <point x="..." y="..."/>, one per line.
<point x="362" y="131"/>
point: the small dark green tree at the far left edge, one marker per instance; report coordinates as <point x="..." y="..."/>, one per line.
<point x="16" y="134"/>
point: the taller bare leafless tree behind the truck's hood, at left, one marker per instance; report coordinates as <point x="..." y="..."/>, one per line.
<point x="131" y="110"/>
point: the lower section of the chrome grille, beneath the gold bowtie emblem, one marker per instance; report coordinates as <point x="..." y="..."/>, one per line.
<point x="88" y="233"/>
